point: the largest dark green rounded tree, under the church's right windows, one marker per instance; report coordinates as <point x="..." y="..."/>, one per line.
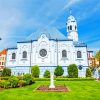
<point x="72" y="71"/>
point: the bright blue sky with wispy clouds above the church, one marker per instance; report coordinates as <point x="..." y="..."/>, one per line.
<point x="20" y="18"/>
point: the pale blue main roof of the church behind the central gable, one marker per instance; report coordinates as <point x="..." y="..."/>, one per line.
<point x="51" y="33"/>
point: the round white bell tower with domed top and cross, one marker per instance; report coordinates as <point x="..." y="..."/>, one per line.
<point x="72" y="28"/>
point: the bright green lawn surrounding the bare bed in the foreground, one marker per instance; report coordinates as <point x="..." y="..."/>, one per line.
<point x="80" y="90"/>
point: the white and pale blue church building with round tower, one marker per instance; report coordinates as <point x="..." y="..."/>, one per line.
<point x="48" y="48"/>
